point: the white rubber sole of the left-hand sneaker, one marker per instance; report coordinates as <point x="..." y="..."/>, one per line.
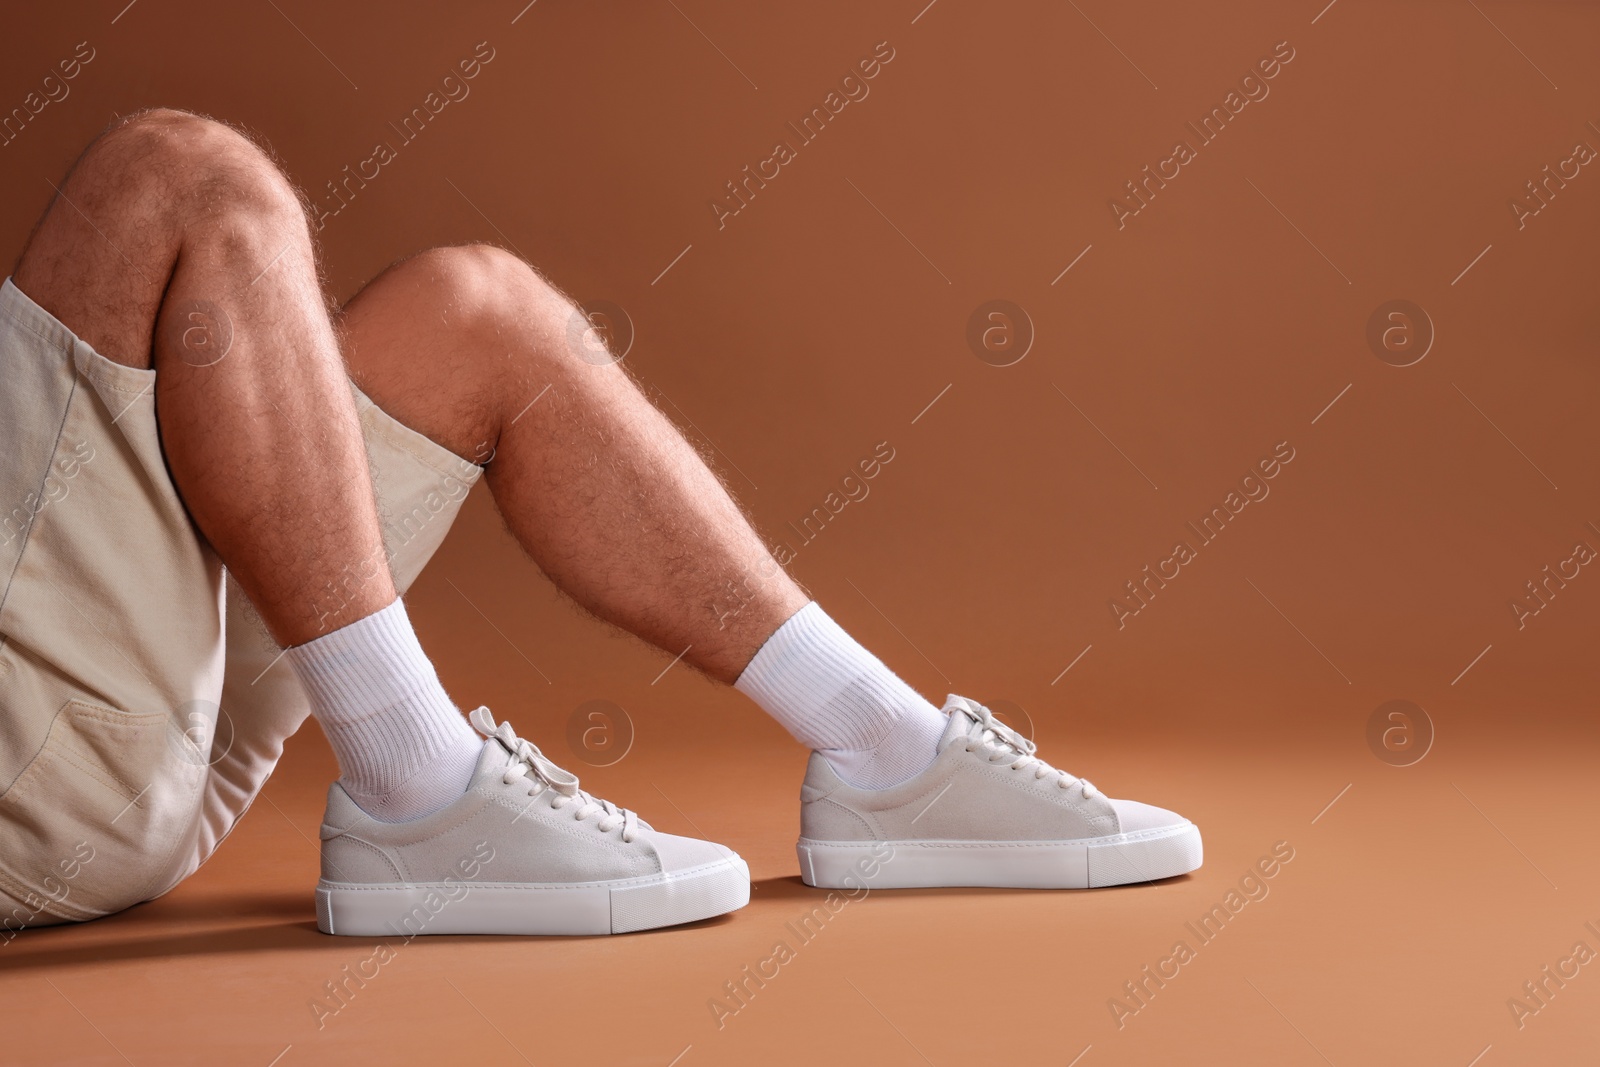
<point x="593" y="908"/>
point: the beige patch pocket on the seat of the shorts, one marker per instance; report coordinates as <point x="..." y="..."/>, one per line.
<point x="92" y="823"/>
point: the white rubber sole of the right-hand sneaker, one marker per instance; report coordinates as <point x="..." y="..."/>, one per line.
<point x="1081" y="865"/>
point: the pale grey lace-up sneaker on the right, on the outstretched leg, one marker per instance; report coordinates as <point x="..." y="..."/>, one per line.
<point x="988" y="813"/>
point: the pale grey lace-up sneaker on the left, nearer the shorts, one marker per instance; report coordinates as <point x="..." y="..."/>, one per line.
<point x="524" y="852"/>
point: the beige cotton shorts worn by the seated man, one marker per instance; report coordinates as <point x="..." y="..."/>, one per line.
<point x="142" y="700"/>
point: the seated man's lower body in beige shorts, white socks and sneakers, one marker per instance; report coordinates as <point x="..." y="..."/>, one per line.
<point x="207" y="532"/>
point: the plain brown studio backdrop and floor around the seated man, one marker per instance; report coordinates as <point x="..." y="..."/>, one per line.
<point x="822" y="321"/>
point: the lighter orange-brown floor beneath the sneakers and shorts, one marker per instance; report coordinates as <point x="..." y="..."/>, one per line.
<point x="1412" y="911"/>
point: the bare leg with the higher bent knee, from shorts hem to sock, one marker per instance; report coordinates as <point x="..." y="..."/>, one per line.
<point x="177" y="244"/>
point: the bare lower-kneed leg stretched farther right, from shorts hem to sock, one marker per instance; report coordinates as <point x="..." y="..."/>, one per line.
<point x="471" y="348"/>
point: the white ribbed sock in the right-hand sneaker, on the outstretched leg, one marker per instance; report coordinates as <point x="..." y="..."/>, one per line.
<point x="841" y="700"/>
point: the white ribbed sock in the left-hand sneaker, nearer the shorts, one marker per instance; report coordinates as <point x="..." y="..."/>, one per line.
<point x="402" y="745"/>
